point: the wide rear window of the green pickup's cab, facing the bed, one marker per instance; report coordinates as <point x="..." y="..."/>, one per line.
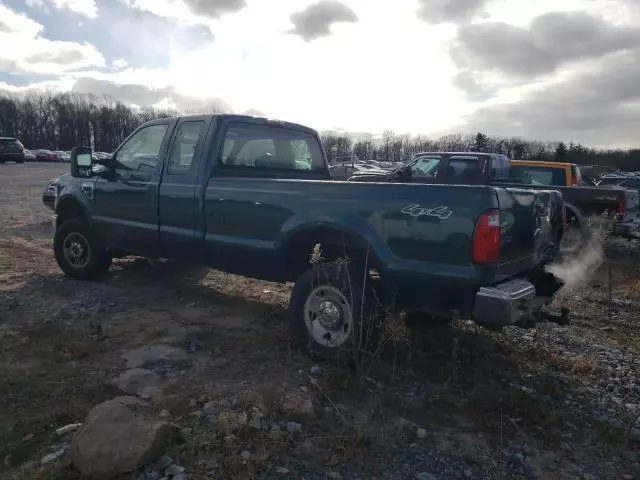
<point x="248" y="146"/>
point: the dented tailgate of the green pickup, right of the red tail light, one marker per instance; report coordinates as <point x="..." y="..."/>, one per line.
<point x="531" y="228"/>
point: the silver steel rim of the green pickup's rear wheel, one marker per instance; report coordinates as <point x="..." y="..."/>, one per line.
<point x="328" y="316"/>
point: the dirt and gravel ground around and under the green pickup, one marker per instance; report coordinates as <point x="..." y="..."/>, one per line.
<point x="462" y="402"/>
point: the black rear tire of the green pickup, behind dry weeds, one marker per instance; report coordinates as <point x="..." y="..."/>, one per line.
<point x="355" y="331"/>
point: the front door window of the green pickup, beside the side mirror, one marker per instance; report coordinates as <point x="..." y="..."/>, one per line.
<point x="141" y="151"/>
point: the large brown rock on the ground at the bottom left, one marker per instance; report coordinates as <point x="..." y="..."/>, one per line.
<point x="118" y="437"/>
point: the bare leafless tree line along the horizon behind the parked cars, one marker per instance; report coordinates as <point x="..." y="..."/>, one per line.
<point x="61" y="121"/>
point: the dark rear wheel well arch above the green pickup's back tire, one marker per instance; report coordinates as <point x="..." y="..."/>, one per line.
<point x="334" y="244"/>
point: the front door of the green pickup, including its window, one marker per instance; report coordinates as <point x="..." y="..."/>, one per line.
<point x="126" y="205"/>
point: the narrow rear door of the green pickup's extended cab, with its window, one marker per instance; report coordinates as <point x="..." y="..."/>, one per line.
<point x="179" y="232"/>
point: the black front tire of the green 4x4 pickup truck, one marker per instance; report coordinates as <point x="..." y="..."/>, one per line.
<point x="78" y="237"/>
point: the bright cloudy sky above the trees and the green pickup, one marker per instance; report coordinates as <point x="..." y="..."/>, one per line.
<point x="543" y="69"/>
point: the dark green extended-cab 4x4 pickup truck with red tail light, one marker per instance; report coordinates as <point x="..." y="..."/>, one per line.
<point x="253" y="196"/>
